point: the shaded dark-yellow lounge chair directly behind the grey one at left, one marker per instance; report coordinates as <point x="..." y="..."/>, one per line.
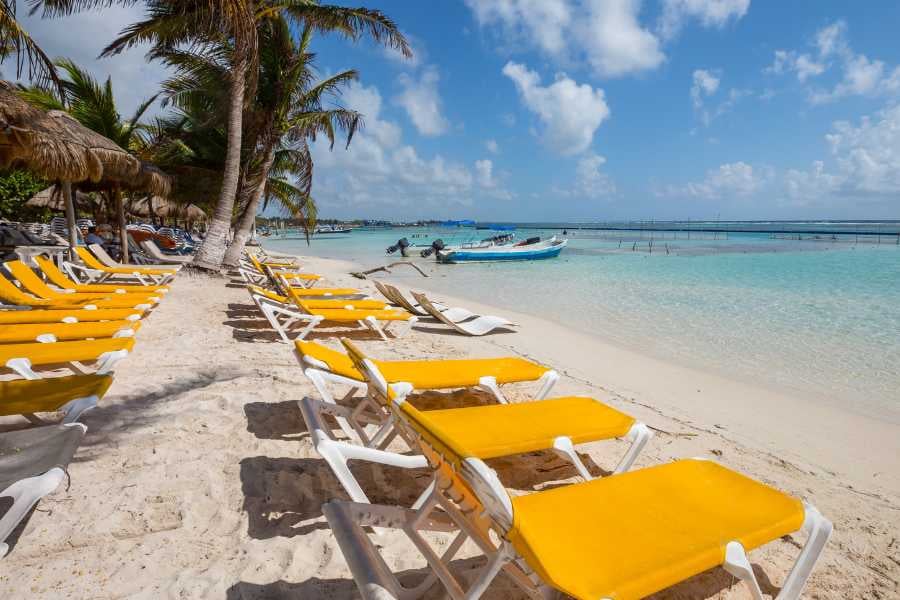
<point x="72" y="395"/>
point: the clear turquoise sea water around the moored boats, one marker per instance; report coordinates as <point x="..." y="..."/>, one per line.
<point x="814" y="318"/>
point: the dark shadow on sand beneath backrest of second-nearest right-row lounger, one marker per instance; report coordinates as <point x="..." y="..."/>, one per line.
<point x="294" y="489"/>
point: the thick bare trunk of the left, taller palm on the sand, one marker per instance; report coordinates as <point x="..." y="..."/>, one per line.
<point x="212" y="250"/>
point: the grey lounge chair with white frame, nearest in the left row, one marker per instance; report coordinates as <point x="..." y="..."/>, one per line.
<point x="32" y="464"/>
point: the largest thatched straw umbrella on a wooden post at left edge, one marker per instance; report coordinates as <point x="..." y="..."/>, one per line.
<point x="58" y="147"/>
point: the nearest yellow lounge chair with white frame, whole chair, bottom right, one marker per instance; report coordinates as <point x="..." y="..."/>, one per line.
<point x="620" y="537"/>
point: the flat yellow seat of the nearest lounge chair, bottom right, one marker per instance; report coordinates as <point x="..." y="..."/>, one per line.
<point x="630" y="535"/>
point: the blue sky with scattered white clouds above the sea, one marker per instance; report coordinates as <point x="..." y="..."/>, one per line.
<point x="591" y="110"/>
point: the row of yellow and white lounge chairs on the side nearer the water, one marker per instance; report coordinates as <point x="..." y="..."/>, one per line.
<point x="625" y="534"/>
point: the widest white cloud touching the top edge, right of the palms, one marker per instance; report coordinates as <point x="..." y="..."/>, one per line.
<point x="605" y="34"/>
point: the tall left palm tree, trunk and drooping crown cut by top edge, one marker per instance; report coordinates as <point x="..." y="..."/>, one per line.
<point x="171" y="24"/>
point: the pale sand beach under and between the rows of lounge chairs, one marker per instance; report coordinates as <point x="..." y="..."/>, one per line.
<point x="197" y="479"/>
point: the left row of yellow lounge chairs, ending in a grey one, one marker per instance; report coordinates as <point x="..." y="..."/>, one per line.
<point x="63" y="328"/>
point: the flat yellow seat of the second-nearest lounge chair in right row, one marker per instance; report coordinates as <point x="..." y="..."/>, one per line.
<point x="506" y="429"/>
